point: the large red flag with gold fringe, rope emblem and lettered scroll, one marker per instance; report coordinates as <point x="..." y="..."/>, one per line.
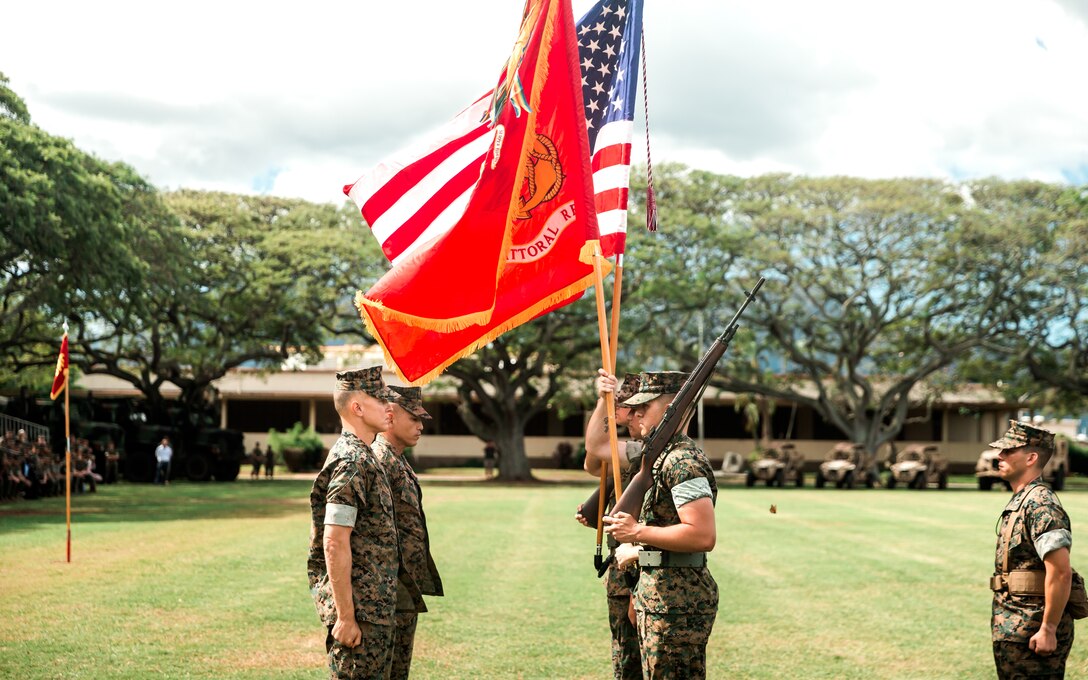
<point x="525" y="242"/>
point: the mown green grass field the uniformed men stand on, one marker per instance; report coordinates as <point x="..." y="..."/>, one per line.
<point x="208" y="582"/>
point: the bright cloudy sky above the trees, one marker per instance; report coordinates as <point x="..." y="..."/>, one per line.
<point x="299" y="100"/>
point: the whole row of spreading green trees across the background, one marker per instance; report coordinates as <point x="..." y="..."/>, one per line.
<point x="880" y="292"/>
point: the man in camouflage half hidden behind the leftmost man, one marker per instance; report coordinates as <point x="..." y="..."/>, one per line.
<point x="419" y="576"/>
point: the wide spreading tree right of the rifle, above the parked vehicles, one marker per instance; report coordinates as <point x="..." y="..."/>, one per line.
<point x="875" y="289"/>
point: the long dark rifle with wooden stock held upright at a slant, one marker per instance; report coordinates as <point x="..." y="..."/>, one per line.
<point x="678" y="414"/>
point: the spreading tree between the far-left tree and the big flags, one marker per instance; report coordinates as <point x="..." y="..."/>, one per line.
<point x="254" y="281"/>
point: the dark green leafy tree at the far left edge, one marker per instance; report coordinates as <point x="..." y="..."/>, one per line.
<point x="71" y="232"/>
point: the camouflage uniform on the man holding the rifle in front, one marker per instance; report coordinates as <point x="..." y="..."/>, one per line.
<point x="676" y="605"/>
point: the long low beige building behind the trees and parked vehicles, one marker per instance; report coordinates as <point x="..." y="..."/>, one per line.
<point x="254" y="401"/>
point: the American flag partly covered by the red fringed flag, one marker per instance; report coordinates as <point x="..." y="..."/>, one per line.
<point x="413" y="199"/>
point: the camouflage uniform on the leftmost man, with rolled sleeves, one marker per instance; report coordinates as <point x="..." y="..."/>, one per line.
<point x="352" y="490"/>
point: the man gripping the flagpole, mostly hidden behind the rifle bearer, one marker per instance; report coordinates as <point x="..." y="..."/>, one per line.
<point x="627" y="662"/>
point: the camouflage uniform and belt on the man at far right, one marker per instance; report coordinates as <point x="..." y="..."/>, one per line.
<point x="1042" y="526"/>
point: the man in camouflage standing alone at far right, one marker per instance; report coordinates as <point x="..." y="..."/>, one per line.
<point x="1040" y="527"/>
